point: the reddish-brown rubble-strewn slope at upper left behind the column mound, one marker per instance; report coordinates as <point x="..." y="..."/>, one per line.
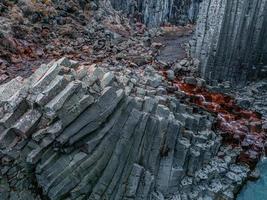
<point x="34" y="32"/>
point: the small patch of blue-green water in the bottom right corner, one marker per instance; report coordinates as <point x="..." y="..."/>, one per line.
<point x="256" y="190"/>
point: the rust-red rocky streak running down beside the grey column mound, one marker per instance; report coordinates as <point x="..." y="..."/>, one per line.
<point x="238" y="127"/>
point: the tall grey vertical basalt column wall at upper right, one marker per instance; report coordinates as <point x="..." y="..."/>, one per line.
<point x="231" y="40"/>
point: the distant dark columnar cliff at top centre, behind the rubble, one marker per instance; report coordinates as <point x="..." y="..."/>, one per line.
<point x="157" y="12"/>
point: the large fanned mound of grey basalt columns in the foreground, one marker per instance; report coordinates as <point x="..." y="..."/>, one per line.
<point x="75" y="131"/>
